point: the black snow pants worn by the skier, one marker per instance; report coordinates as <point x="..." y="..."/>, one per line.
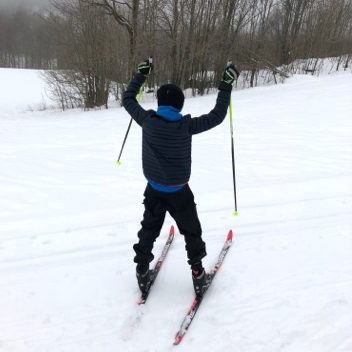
<point x="180" y="205"/>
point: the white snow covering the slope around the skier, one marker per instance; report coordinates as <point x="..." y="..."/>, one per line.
<point x="69" y="218"/>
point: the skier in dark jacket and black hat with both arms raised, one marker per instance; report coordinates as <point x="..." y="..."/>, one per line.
<point x="166" y="157"/>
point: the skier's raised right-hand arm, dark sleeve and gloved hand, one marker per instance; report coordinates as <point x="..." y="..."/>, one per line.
<point x="217" y="115"/>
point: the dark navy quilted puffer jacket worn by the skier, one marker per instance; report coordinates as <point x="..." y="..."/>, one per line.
<point x="167" y="145"/>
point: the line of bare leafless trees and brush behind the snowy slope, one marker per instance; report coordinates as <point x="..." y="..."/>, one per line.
<point x="92" y="46"/>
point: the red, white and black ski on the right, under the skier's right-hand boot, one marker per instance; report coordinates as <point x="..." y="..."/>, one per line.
<point x="198" y="300"/>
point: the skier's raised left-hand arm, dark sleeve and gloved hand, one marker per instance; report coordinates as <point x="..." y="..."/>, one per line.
<point x="129" y="100"/>
